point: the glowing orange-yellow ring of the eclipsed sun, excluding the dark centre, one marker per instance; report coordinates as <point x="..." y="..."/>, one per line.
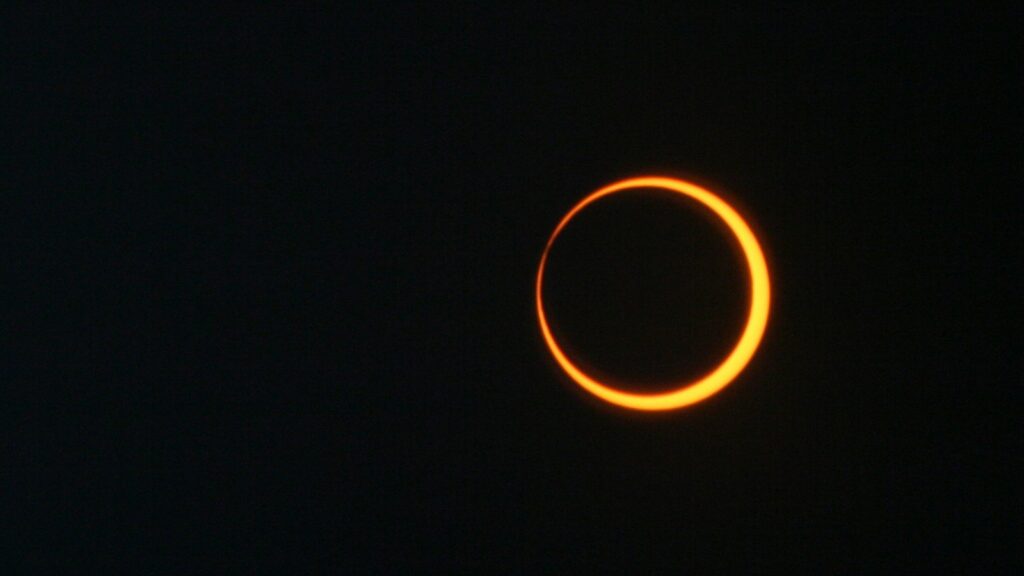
<point x="718" y="379"/>
